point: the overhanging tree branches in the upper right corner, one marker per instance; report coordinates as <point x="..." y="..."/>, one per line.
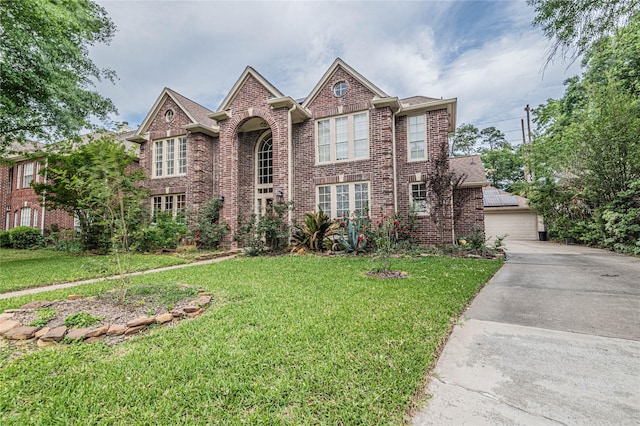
<point x="575" y="26"/>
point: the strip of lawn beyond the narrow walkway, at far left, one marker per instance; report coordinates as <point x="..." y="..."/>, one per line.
<point x="21" y="269"/>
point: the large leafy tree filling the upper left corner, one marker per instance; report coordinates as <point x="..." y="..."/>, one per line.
<point x="46" y="76"/>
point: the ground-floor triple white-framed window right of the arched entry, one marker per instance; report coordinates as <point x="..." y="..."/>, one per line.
<point x="332" y="195"/>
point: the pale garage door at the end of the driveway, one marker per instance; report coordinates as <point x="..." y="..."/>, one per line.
<point x="520" y="226"/>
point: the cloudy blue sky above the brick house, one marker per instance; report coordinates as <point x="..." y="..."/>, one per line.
<point x="485" y="53"/>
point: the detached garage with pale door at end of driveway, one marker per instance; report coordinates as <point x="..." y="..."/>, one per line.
<point x="505" y="213"/>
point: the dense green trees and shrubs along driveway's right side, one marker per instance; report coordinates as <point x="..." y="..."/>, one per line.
<point x="587" y="152"/>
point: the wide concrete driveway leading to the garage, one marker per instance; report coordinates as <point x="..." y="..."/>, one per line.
<point x="553" y="339"/>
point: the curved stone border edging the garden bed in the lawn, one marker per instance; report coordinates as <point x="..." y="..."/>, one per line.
<point x="12" y="330"/>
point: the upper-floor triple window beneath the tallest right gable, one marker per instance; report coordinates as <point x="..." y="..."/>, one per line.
<point x="343" y="138"/>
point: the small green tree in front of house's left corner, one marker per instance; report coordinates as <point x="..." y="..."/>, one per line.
<point x="97" y="182"/>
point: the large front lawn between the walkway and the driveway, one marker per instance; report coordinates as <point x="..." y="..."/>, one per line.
<point x="287" y="340"/>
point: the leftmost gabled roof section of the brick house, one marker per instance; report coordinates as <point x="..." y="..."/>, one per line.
<point x="198" y="114"/>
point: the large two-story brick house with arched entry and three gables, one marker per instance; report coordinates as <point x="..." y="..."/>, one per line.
<point x="347" y="146"/>
